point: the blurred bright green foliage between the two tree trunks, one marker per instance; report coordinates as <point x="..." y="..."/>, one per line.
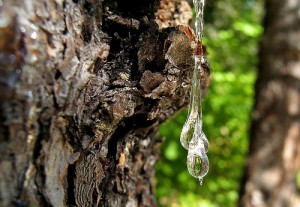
<point x="232" y="32"/>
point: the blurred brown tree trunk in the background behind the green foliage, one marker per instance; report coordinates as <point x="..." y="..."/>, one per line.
<point x="274" y="154"/>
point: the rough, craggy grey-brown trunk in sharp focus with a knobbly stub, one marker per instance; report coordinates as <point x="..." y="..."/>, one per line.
<point x="84" y="85"/>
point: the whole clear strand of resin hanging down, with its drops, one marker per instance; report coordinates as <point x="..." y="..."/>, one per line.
<point x="192" y="137"/>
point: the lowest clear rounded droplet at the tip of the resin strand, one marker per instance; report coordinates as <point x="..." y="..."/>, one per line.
<point x="197" y="163"/>
